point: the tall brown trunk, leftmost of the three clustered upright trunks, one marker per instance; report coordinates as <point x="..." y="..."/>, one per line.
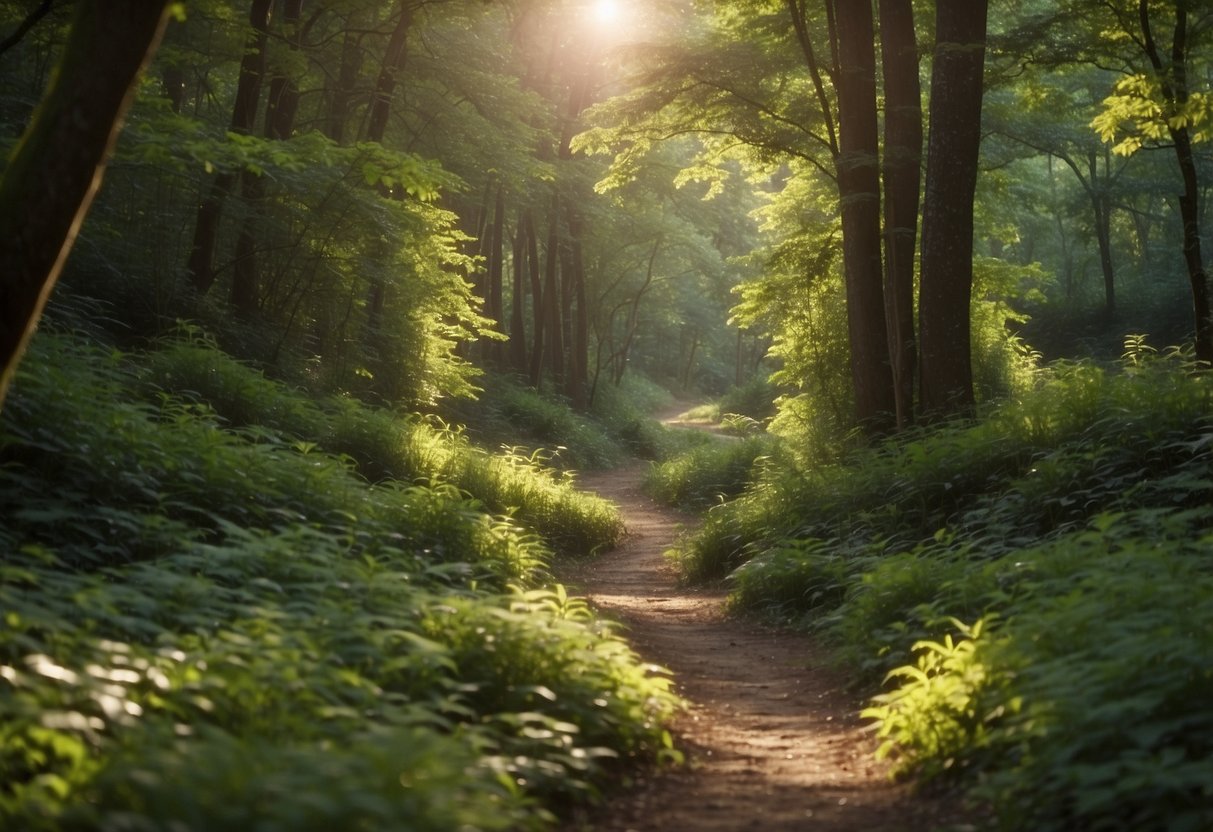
<point x="859" y="190"/>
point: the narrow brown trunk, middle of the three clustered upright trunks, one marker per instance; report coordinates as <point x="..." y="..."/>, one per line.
<point x="903" y="161"/>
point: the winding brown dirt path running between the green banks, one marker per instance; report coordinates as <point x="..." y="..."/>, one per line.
<point x="771" y="733"/>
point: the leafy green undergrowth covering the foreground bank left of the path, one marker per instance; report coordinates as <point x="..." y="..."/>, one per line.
<point x="220" y="628"/>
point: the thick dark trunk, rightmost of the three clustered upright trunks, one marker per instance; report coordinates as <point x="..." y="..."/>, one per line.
<point x="947" y="282"/>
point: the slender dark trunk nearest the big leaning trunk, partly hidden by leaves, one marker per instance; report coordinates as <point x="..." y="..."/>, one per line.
<point x="201" y="266"/>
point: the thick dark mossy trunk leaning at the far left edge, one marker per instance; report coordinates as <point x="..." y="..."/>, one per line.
<point x="59" y="164"/>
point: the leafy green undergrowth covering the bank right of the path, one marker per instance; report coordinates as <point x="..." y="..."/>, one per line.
<point x="1034" y="589"/>
